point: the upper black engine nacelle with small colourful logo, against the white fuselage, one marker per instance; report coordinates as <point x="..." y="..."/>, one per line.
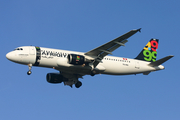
<point x="76" y="59"/>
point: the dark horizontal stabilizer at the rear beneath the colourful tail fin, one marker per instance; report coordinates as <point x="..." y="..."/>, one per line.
<point x="160" y="61"/>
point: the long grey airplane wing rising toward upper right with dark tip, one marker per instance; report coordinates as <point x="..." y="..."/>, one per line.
<point x="100" y="52"/>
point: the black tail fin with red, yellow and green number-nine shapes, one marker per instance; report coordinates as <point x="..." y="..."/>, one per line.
<point x="149" y="52"/>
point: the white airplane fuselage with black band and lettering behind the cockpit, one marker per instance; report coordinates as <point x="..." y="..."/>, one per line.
<point x="57" y="59"/>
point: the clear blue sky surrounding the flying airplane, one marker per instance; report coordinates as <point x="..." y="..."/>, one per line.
<point x="81" y="26"/>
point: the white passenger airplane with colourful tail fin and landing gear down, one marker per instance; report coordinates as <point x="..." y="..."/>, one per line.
<point x="74" y="65"/>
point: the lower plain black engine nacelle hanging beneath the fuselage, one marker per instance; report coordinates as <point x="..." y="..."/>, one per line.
<point x="54" y="78"/>
